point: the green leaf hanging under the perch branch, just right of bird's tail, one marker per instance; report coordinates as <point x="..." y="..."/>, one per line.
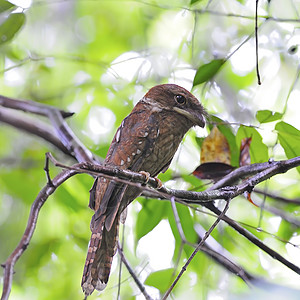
<point x="149" y="216"/>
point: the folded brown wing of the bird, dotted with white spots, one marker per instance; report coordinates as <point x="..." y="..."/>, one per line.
<point x="133" y="142"/>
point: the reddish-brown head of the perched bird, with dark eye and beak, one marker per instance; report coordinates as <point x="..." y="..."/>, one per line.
<point x="174" y="98"/>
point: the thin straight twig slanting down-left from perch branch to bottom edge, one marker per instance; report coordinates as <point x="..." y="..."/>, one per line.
<point x="196" y="250"/>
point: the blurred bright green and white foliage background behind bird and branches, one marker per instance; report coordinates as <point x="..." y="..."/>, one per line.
<point x="97" y="59"/>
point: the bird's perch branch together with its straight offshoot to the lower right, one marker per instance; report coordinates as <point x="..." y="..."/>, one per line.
<point x="204" y="198"/>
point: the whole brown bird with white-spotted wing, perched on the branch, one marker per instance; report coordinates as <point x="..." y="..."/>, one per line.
<point x="146" y="140"/>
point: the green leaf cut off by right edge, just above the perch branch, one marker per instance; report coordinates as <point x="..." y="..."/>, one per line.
<point x="289" y="139"/>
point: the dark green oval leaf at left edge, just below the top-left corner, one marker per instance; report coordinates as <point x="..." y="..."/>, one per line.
<point x="11" y="26"/>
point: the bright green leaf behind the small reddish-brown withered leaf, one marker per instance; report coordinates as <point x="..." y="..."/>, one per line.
<point x="258" y="150"/>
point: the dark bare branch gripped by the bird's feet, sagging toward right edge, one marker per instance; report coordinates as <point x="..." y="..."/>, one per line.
<point x="264" y="171"/>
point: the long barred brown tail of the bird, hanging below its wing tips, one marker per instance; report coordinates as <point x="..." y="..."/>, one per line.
<point x="102" y="248"/>
